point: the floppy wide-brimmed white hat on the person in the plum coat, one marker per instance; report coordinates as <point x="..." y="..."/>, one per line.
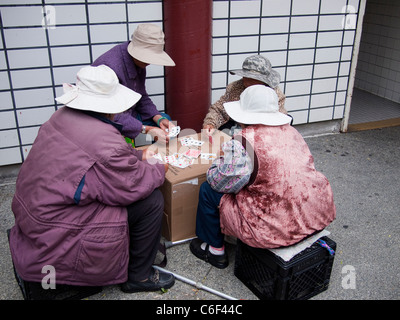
<point x="98" y="89"/>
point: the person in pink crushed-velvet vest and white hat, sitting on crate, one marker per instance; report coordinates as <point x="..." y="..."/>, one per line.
<point x="265" y="189"/>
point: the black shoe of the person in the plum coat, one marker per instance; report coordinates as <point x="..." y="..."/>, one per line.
<point x="158" y="280"/>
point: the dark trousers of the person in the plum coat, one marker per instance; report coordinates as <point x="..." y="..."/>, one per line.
<point x="144" y="219"/>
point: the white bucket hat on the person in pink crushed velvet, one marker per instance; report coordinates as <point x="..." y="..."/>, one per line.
<point x="258" y="104"/>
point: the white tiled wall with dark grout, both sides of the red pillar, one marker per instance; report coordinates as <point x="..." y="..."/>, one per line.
<point x="308" y="41"/>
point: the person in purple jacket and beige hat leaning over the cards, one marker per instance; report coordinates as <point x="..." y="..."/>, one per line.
<point x="129" y="61"/>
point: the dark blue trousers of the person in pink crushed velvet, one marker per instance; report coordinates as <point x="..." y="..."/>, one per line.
<point x="208" y="227"/>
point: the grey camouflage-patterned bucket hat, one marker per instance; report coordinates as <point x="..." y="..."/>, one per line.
<point x="259" y="68"/>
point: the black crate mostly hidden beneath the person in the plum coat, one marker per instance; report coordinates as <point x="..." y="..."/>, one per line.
<point x="35" y="291"/>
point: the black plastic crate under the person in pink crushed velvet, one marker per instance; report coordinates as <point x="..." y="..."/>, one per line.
<point x="271" y="278"/>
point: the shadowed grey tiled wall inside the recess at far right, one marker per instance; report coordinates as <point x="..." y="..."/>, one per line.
<point x="378" y="68"/>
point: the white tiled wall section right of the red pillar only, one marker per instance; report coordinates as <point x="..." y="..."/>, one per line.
<point x="309" y="42"/>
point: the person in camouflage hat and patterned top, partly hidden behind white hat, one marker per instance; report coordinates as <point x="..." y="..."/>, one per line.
<point x="256" y="69"/>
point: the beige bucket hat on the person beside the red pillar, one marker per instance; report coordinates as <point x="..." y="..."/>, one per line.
<point x="147" y="45"/>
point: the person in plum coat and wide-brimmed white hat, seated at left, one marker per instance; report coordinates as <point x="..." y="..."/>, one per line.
<point x="86" y="202"/>
